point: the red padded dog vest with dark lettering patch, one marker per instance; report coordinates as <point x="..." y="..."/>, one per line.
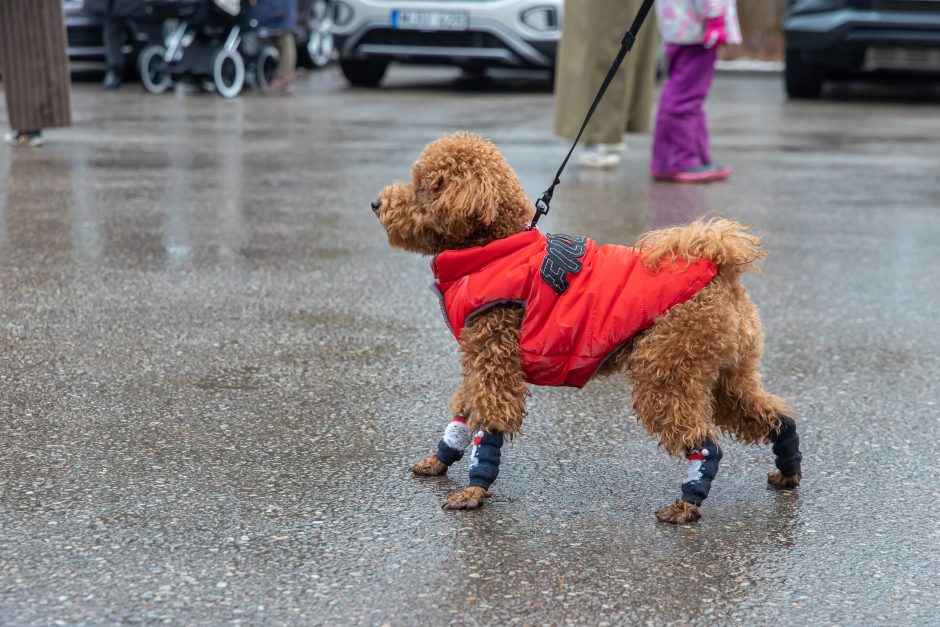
<point x="582" y="301"/>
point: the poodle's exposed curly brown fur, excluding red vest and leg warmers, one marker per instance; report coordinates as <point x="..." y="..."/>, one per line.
<point x="694" y="372"/>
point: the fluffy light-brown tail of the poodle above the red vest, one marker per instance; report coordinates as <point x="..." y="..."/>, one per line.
<point x="729" y="244"/>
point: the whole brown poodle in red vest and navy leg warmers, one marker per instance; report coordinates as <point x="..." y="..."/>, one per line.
<point x="692" y="356"/>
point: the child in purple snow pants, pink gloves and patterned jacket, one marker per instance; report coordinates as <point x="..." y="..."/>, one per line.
<point x="693" y="30"/>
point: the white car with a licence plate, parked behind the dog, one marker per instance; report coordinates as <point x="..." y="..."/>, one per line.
<point x="472" y="34"/>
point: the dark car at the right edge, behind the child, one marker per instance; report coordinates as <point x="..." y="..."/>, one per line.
<point x="831" y="39"/>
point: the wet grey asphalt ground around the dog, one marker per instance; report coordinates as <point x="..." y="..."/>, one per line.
<point x="215" y="373"/>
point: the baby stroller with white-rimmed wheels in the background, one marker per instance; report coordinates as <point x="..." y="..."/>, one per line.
<point x="211" y="41"/>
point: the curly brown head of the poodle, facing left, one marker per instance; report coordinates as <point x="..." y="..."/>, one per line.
<point x="462" y="193"/>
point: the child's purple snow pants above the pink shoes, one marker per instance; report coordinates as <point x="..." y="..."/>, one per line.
<point x="680" y="120"/>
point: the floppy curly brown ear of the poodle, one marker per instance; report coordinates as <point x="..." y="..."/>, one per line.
<point x="467" y="197"/>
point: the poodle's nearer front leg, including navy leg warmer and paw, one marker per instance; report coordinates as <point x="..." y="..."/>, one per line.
<point x="494" y="390"/>
